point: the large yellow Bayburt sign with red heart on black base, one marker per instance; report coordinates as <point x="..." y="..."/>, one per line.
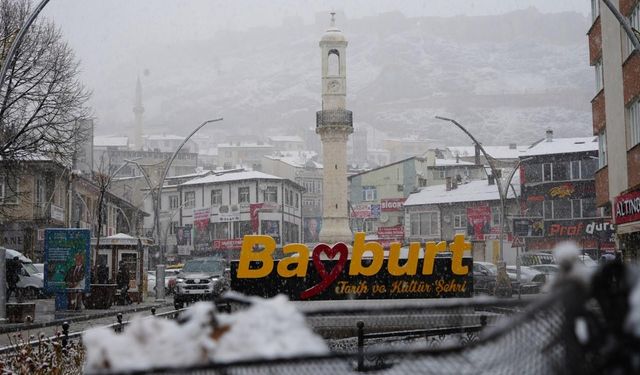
<point x="327" y="272"/>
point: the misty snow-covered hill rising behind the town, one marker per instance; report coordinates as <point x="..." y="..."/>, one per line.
<point x="507" y="78"/>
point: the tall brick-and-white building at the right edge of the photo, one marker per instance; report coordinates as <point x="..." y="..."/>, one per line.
<point x="616" y="120"/>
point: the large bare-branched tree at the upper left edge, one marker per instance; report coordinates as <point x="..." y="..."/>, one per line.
<point x="41" y="97"/>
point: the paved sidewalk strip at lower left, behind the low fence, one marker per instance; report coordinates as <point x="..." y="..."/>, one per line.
<point x="46" y="315"/>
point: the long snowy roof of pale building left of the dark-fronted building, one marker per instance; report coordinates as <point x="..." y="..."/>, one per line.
<point x="473" y="191"/>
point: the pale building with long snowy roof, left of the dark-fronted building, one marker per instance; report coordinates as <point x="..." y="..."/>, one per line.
<point x="438" y="213"/>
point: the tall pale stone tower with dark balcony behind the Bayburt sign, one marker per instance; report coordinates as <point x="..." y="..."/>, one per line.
<point x="334" y="124"/>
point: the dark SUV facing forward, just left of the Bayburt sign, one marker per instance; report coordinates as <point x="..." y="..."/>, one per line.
<point x="201" y="279"/>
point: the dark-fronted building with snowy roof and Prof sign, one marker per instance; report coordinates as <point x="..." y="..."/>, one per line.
<point x="559" y="195"/>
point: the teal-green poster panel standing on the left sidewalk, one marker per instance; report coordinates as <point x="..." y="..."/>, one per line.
<point x="67" y="256"/>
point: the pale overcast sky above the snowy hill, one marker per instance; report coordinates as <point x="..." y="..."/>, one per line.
<point x="103" y="31"/>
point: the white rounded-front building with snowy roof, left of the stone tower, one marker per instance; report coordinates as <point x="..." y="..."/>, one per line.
<point x="218" y="210"/>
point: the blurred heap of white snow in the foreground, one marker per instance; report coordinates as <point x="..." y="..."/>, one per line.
<point x="268" y="329"/>
